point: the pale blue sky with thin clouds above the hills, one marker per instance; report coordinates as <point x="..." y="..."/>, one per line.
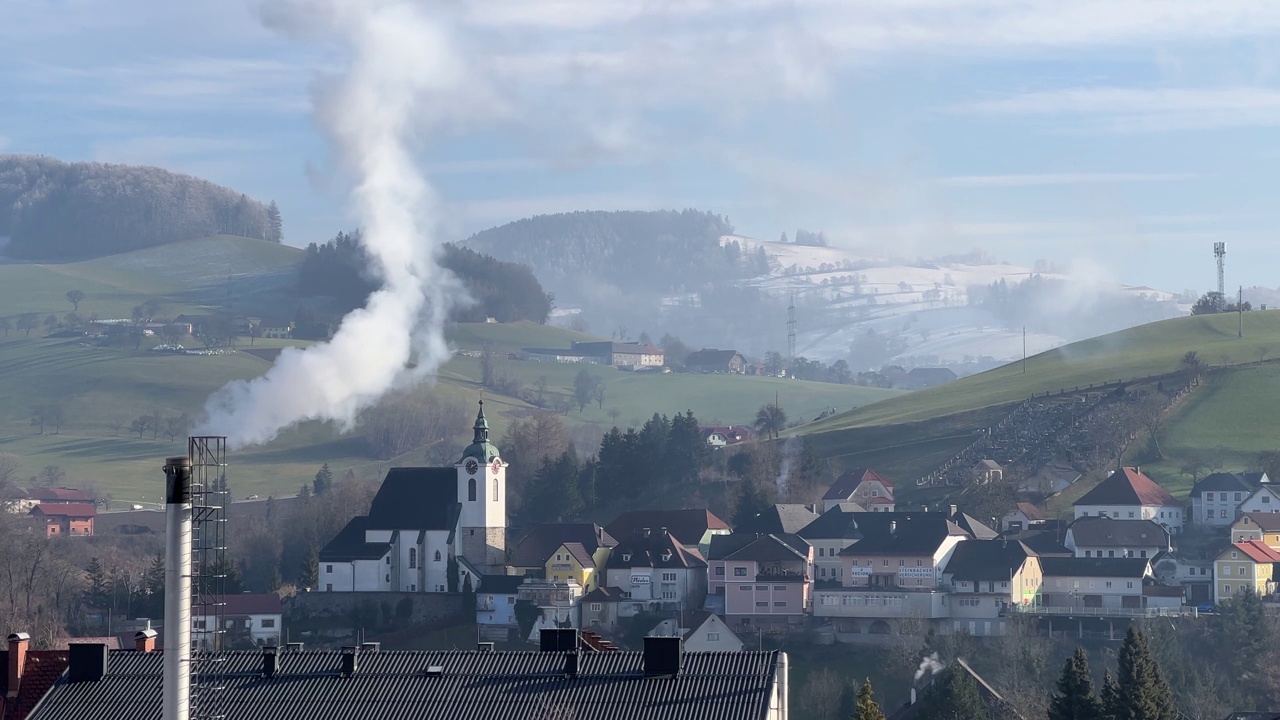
<point x="1130" y="135"/>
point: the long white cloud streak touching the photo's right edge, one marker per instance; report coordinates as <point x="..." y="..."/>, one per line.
<point x="1131" y="110"/>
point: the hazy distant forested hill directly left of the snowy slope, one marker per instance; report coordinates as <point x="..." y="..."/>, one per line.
<point x="661" y="252"/>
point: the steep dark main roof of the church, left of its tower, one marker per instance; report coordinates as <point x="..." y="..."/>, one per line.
<point x="417" y="499"/>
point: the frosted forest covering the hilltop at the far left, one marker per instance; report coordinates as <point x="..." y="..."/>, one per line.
<point x="51" y="209"/>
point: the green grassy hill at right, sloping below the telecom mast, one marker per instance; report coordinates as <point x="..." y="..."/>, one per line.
<point x="1228" y="421"/>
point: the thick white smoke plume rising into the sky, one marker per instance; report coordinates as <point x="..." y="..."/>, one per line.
<point x="399" y="60"/>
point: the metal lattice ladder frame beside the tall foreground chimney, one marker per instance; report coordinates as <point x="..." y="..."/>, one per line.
<point x="209" y="568"/>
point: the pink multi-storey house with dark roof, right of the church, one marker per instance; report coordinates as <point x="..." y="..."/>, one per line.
<point x="760" y="580"/>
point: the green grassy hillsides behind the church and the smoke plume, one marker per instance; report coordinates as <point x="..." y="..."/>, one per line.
<point x="102" y="390"/>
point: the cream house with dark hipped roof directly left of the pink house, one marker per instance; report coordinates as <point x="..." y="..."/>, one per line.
<point x="655" y="572"/>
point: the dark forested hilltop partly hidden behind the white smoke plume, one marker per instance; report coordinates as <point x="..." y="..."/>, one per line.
<point x="508" y="291"/>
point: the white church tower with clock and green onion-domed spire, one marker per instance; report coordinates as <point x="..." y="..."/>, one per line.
<point x="483" y="496"/>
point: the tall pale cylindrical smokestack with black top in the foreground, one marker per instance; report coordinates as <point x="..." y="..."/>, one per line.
<point x="177" y="590"/>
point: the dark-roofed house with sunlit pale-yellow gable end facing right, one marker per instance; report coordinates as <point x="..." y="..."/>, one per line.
<point x="988" y="580"/>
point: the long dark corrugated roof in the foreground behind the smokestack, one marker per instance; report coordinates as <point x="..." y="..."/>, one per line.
<point x="472" y="686"/>
